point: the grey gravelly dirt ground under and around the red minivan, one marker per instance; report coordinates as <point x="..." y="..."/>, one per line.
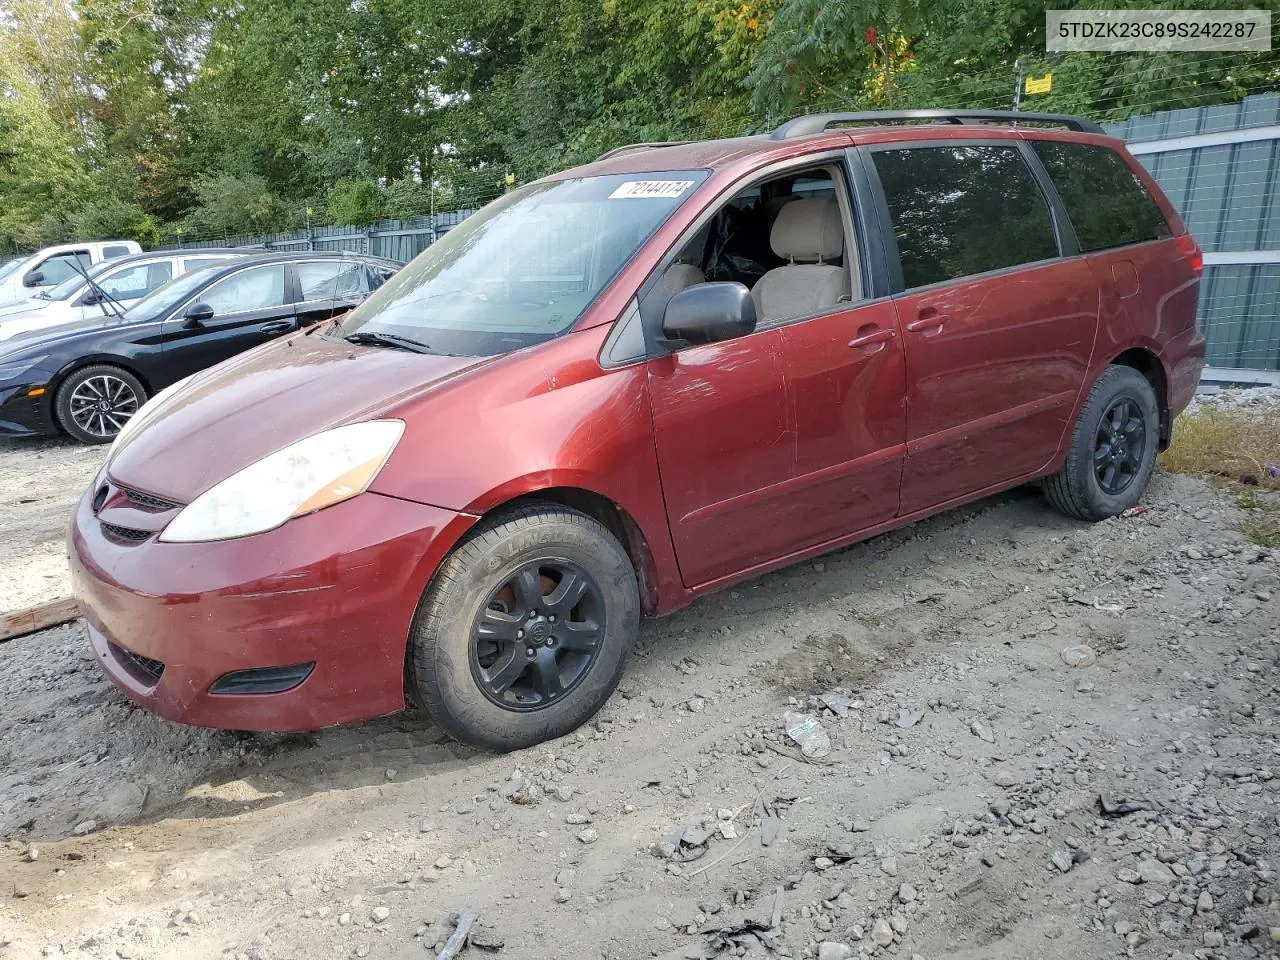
<point x="957" y="816"/>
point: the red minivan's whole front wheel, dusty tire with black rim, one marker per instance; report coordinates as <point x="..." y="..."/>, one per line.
<point x="525" y="630"/>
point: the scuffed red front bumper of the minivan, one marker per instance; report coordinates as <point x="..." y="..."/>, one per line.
<point x="337" y="589"/>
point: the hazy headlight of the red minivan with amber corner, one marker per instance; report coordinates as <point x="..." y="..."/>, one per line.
<point x="305" y="477"/>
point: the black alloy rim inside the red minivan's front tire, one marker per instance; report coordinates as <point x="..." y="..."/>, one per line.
<point x="538" y="636"/>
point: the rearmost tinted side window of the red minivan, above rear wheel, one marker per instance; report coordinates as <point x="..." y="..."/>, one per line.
<point x="1108" y="204"/>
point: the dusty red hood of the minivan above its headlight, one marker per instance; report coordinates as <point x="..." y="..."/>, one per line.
<point x="234" y="415"/>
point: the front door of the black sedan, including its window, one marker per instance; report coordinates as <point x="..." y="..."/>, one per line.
<point x="250" y="308"/>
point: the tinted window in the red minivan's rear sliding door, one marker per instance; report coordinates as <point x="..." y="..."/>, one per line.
<point x="963" y="211"/>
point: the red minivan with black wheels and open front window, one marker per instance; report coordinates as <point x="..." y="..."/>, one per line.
<point x="625" y="386"/>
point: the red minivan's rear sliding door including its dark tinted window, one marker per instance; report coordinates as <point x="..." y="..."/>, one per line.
<point x="998" y="328"/>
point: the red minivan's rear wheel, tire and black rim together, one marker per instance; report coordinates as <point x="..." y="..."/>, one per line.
<point x="1113" y="450"/>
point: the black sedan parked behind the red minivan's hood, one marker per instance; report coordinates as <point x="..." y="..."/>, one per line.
<point x="86" y="380"/>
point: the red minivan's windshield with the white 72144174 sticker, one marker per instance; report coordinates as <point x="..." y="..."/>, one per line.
<point x="525" y="268"/>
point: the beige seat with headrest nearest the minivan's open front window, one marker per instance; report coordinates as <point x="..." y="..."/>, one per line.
<point x="810" y="235"/>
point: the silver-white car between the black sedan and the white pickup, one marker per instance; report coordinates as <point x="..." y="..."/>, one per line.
<point x="112" y="287"/>
